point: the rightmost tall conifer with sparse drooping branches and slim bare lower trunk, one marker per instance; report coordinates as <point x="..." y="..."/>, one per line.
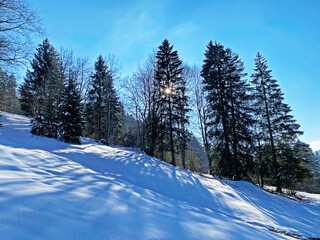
<point x="276" y="125"/>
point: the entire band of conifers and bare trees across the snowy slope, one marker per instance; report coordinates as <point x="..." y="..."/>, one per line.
<point x="212" y="118"/>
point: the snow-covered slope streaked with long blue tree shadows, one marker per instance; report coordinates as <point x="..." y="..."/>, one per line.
<point x="54" y="190"/>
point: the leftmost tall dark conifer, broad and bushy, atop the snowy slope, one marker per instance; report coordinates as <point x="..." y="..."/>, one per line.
<point x="42" y="89"/>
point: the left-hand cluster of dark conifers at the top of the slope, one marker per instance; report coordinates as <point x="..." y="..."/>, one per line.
<point x="65" y="101"/>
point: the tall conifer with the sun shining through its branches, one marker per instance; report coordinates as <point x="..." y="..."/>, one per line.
<point x="168" y="76"/>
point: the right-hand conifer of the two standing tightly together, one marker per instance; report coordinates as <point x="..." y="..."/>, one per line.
<point x="238" y="92"/>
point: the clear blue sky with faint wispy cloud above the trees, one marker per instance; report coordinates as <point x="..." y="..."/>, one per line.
<point x="286" y="32"/>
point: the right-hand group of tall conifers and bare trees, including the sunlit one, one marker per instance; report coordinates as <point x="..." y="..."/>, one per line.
<point x="248" y="131"/>
